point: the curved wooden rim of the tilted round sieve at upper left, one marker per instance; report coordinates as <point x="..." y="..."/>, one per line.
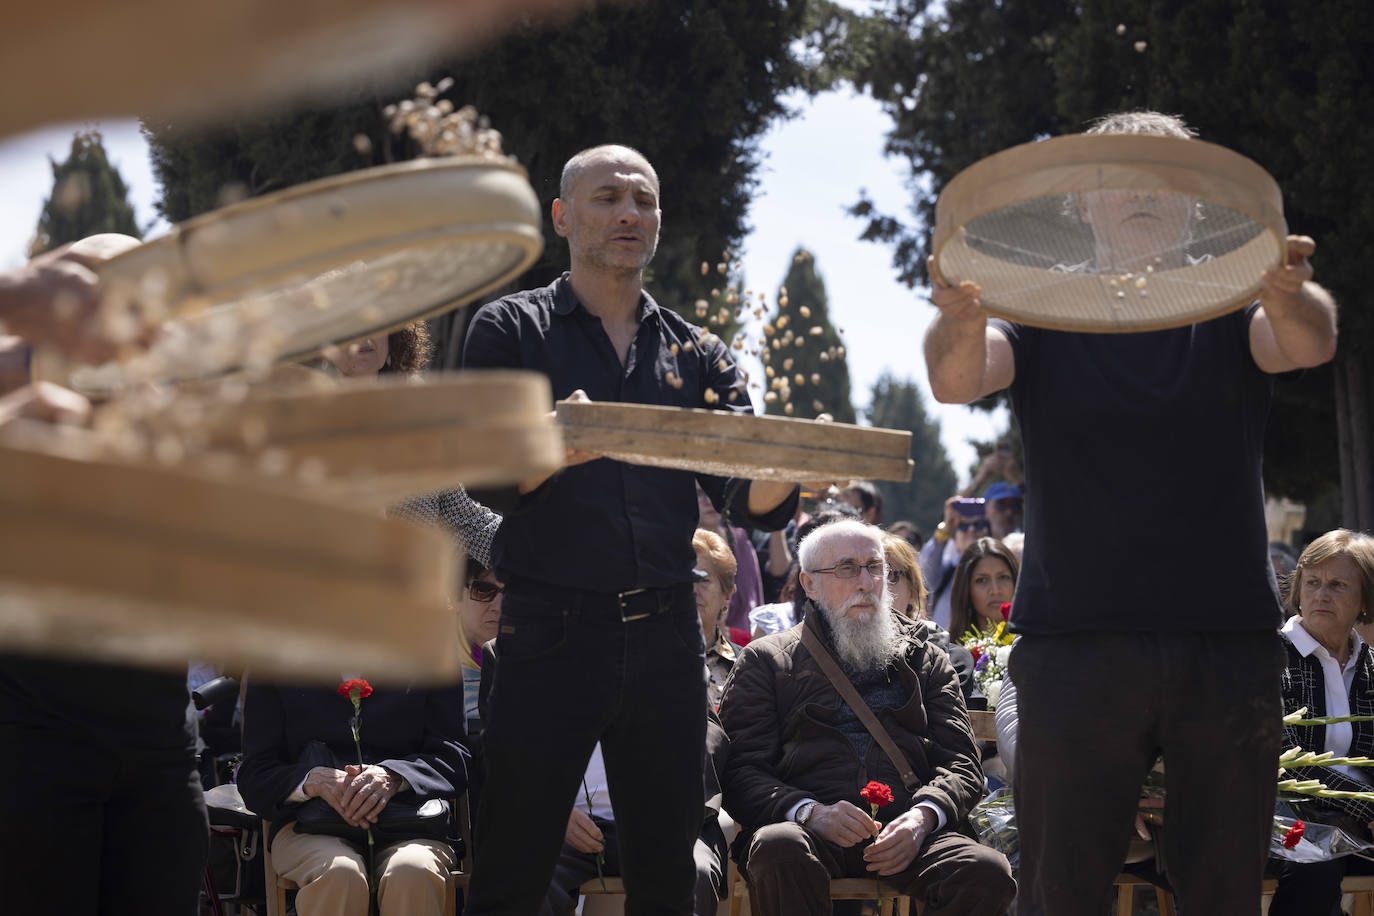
<point x="303" y="231"/>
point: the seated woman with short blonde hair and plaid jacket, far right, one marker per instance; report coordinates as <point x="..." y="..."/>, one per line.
<point x="1331" y="671"/>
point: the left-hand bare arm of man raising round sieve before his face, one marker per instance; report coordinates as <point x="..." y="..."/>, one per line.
<point x="965" y="359"/>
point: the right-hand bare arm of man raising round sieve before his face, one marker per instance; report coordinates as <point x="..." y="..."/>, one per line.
<point x="1295" y="326"/>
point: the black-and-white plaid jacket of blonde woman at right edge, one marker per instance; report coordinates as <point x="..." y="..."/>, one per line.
<point x="1305" y="686"/>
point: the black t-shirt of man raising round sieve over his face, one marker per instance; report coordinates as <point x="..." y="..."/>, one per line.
<point x="1145" y="503"/>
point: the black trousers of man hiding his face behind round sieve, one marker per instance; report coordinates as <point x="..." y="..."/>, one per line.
<point x="1096" y="711"/>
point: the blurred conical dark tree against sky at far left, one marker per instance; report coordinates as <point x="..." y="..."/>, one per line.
<point x="89" y="197"/>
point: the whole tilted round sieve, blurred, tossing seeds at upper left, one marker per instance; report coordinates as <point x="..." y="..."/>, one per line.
<point x="282" y="277"/>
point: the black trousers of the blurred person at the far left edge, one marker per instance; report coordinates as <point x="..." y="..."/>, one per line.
<point x="86" y="830"/>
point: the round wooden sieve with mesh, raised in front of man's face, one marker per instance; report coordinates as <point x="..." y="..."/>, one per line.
<point x="1111" y="233"/>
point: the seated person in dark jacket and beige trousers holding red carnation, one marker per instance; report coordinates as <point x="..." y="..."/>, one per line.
<point x="412" y="755"/>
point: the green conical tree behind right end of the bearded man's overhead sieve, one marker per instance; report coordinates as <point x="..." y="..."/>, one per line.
<point x="898" y="406"/>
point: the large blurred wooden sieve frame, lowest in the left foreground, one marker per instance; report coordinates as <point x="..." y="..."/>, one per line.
<point x="150" y="566"/>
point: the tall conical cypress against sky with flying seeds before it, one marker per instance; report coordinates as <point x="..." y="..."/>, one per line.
<point x="817" y="373"/>
